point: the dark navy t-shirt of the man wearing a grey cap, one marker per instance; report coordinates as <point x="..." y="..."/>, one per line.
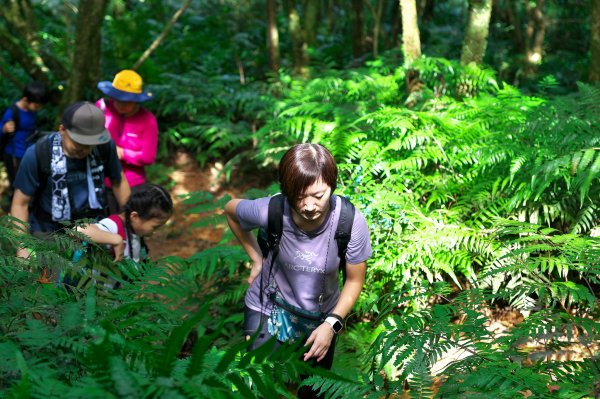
<point x="28" y="181"/>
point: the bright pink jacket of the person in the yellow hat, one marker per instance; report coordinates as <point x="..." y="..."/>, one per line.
<point x="137" y="135"/>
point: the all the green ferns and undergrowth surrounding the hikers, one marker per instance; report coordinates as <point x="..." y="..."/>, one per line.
<point x="480" y="194"/>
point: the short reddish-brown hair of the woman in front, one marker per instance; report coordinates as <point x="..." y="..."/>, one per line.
<point x="303" y="165"/>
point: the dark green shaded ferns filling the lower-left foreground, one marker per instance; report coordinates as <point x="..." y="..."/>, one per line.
<point x="97" y="342"/>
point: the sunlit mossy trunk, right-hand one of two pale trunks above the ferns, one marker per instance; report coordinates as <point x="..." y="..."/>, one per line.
<point x="476" y="32"/>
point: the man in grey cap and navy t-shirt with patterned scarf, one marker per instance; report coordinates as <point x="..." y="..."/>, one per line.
<point x="61" y="177"/>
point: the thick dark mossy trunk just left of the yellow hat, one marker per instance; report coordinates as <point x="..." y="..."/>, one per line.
<point x="86" y="61"/>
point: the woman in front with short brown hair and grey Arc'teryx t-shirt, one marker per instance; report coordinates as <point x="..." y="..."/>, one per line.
<point x="298" y="295"/>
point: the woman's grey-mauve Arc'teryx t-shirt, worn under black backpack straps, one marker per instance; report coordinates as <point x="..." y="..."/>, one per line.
<point x="307" y="263"/>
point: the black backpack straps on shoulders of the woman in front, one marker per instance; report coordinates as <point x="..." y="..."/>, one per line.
<point x="269" y="238"/>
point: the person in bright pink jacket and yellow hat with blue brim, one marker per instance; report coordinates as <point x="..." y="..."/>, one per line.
<point x="132" y="127"/>
